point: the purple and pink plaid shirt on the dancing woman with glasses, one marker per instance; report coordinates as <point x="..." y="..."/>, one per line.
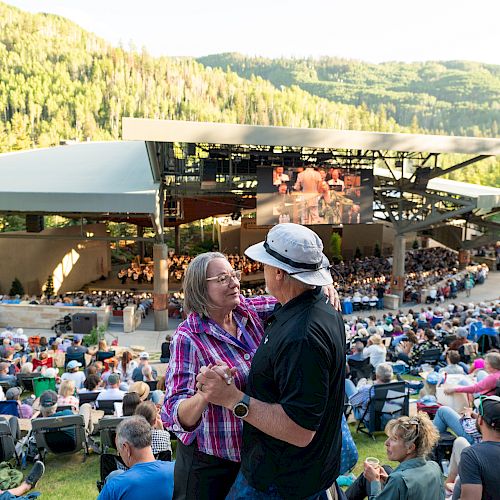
<point x="198" y="342"/>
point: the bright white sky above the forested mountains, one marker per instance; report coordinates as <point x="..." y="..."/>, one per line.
<point x="373" y="31"/>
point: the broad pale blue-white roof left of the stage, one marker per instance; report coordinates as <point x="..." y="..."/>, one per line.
<point x="94" y="177"/>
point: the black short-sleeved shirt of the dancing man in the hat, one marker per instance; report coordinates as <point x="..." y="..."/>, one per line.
<point x="300" y="364"/>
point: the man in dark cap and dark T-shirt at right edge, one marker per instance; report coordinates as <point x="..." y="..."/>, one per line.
<point x="478" y="468"/>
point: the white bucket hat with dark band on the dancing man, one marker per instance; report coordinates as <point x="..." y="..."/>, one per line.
<point x="296" y="250"/>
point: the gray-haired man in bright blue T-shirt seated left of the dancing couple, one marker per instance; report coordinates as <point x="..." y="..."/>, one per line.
<point x="145" y="475"/>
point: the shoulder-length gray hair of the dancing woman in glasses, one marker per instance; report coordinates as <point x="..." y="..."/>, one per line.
<point x="195" y="284"/>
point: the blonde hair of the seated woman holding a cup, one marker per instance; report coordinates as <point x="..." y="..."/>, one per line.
<point x="417" y="430"/>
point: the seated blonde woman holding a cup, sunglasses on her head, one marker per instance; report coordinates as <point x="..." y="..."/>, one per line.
<point x="409" y="440"/>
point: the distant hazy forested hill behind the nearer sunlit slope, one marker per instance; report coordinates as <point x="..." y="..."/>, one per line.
<point x="452" y="97"/>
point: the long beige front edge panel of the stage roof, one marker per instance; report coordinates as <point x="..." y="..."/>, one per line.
<point x="145" y="129"/>
